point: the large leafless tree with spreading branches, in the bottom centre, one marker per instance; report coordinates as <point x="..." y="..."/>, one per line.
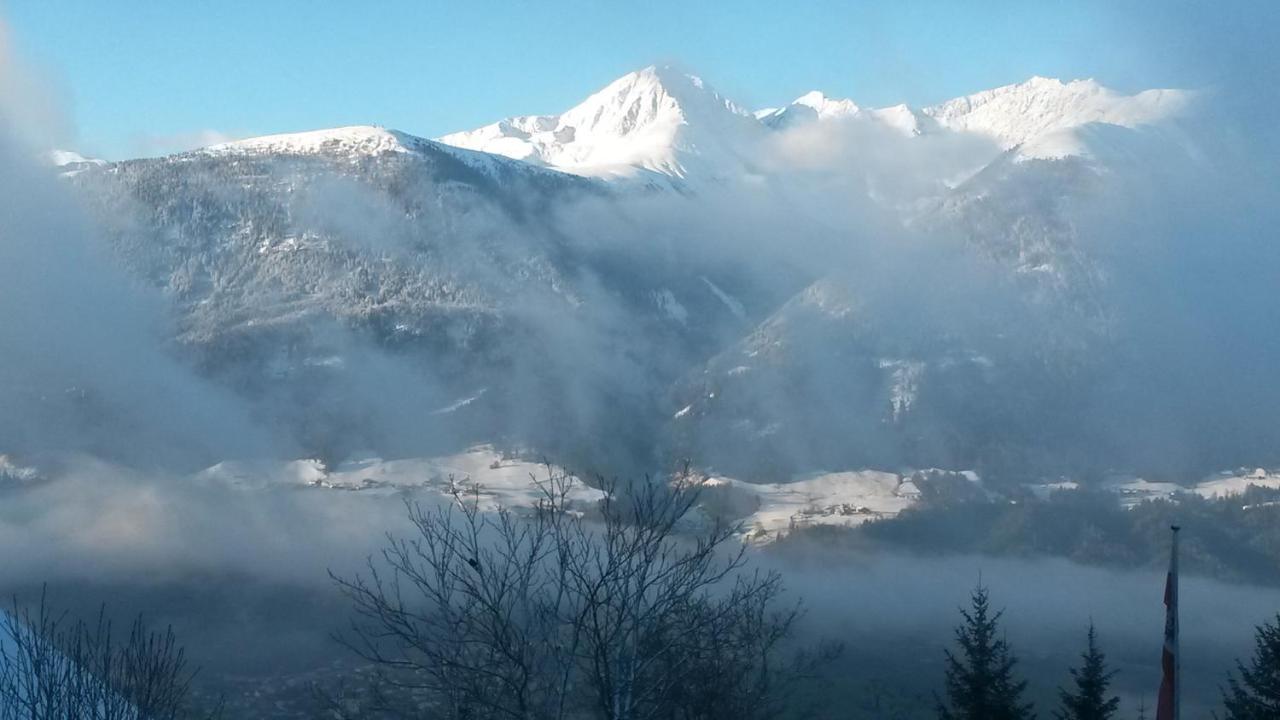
<point x="632" y="609"/>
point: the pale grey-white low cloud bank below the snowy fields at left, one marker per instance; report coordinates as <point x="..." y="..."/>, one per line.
<point x="100" y="522"/>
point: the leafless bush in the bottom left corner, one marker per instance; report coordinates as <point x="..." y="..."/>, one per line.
<point x="57" y="668"/>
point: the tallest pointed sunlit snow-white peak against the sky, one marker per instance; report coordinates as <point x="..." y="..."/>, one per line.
<point x="655" y="120"/>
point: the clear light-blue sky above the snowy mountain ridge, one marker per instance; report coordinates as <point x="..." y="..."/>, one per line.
<point x="143" y="76"/>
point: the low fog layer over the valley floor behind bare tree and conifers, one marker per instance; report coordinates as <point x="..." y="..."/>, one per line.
<point x="243" y="577"/>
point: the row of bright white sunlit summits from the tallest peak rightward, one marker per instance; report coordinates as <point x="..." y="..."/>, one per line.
<point x="662" y="121"/>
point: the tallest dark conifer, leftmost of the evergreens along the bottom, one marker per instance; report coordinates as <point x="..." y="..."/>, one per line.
<point x="981" y="683"/>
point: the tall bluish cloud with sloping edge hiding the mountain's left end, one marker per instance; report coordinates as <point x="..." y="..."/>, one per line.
<point x="86" y="364"/>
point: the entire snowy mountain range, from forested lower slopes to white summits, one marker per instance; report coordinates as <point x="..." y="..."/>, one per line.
<point x="525" y="276"/>
